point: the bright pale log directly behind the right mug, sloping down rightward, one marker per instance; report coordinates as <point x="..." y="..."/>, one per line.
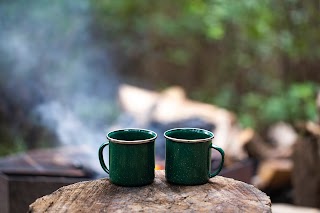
<point x="173" y="106"/>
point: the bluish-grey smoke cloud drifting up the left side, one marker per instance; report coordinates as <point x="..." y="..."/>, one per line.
<point x="50" y="63"/>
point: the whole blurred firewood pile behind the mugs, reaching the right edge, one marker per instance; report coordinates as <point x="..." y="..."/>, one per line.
<point x="287" y="157"/>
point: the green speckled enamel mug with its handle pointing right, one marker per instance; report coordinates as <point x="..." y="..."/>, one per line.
<point x="188" y="156"/>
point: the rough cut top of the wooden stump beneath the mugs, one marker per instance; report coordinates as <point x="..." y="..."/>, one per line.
<point x="218" y="195"/>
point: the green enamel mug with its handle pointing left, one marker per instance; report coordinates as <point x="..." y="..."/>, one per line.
<point x="131" y="157"/>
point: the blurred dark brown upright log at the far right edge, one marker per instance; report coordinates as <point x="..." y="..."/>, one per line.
<point x="306" y="172"/>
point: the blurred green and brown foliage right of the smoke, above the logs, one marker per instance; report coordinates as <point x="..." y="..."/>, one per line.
<point x="239" y="52"/>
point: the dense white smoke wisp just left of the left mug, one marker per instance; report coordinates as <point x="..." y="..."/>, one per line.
<point x="72" y="132"/>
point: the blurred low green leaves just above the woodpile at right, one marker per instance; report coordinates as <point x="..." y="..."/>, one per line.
<point x="256" y="110"/>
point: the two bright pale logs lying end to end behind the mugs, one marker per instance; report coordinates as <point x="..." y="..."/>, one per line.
<point x="172" y="105"/>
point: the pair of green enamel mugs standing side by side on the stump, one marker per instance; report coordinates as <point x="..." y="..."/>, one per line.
<point x="132" y="156"/>
